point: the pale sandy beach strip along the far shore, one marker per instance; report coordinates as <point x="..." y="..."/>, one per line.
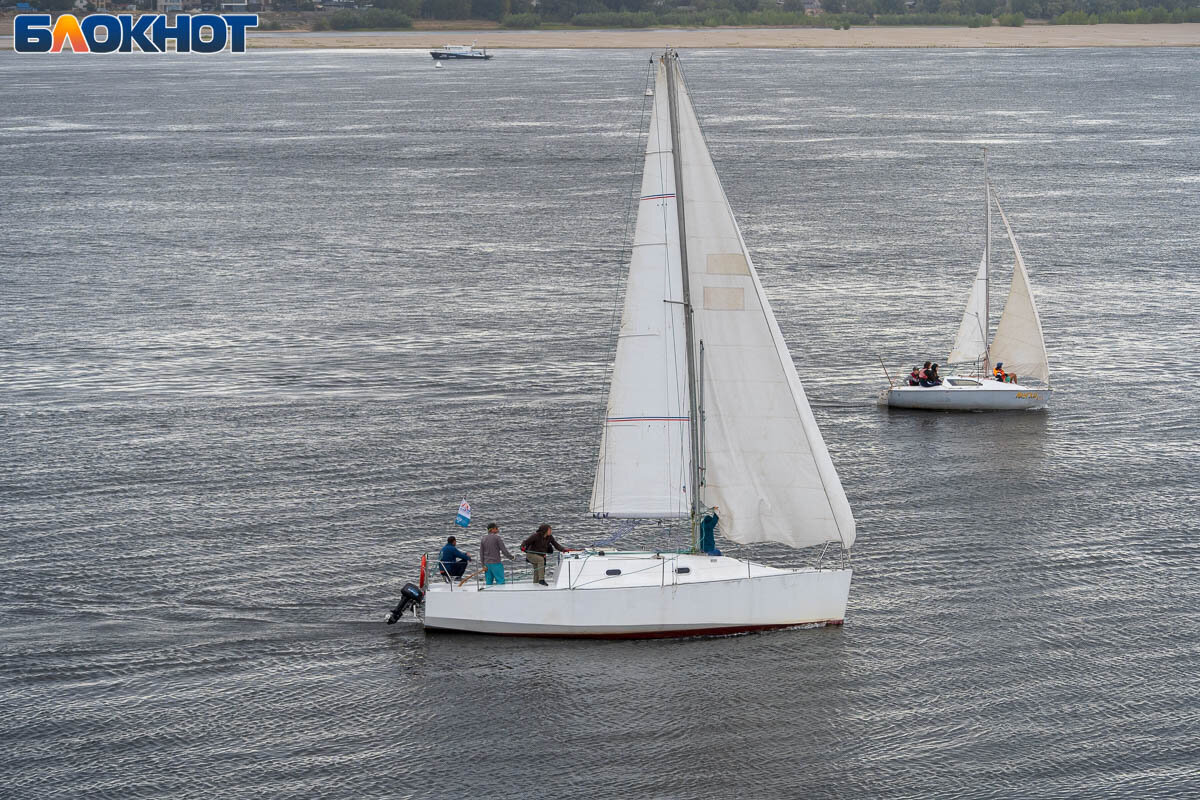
<point x="1184" y="35"/>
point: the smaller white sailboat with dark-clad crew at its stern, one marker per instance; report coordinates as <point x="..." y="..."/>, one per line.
<point x="1018" y="345"/>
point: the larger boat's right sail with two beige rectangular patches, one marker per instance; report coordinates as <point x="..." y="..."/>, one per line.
<point x="766" y="465"/>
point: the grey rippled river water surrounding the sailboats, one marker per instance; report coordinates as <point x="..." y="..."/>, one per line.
<point x="267" y="320"/>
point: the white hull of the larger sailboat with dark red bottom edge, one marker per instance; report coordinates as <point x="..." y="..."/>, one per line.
<point x="651" y="600"/>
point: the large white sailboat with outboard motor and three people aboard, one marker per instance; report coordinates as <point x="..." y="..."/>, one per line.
<point x="705" y="411"/>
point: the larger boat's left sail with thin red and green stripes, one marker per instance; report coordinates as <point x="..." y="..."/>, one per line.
<point x="646" y="448"/>
